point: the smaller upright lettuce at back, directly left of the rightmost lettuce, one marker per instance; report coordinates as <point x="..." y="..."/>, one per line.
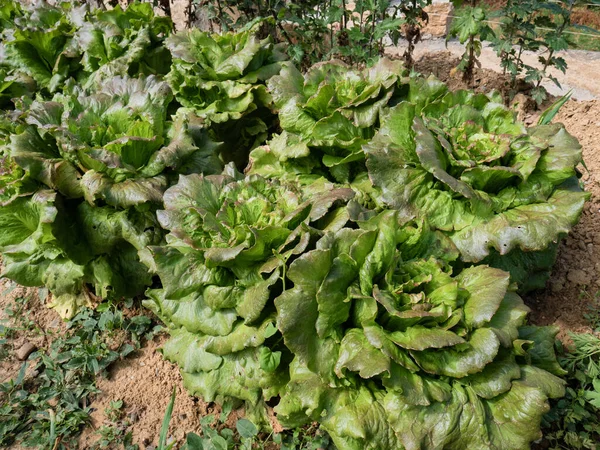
<point x="334" y="110"/>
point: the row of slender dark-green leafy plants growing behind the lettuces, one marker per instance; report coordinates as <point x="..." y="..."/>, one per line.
<point x="358" y="32"/>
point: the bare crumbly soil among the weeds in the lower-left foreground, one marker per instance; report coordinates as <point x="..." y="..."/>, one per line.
<point x="143" y="381"/>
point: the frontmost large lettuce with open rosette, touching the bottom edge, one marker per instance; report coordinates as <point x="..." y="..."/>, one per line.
<point x="393" y="351"/>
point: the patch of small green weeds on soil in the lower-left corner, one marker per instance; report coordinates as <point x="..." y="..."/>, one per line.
<point x="47" y="404"/>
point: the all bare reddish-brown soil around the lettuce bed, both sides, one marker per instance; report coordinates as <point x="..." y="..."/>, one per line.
<point x="145" y="381"/>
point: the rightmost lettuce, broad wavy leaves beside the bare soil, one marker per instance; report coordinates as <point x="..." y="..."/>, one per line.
<point x="504" y="194"/>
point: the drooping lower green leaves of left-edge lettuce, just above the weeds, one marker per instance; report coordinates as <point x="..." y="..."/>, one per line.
<point x="82" y="254"/>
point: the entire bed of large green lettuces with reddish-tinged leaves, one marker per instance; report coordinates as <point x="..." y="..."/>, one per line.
<point x="344" y="244"/>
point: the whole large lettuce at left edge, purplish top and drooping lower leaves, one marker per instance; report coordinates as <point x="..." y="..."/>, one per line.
<point x="107" y="156"/>
